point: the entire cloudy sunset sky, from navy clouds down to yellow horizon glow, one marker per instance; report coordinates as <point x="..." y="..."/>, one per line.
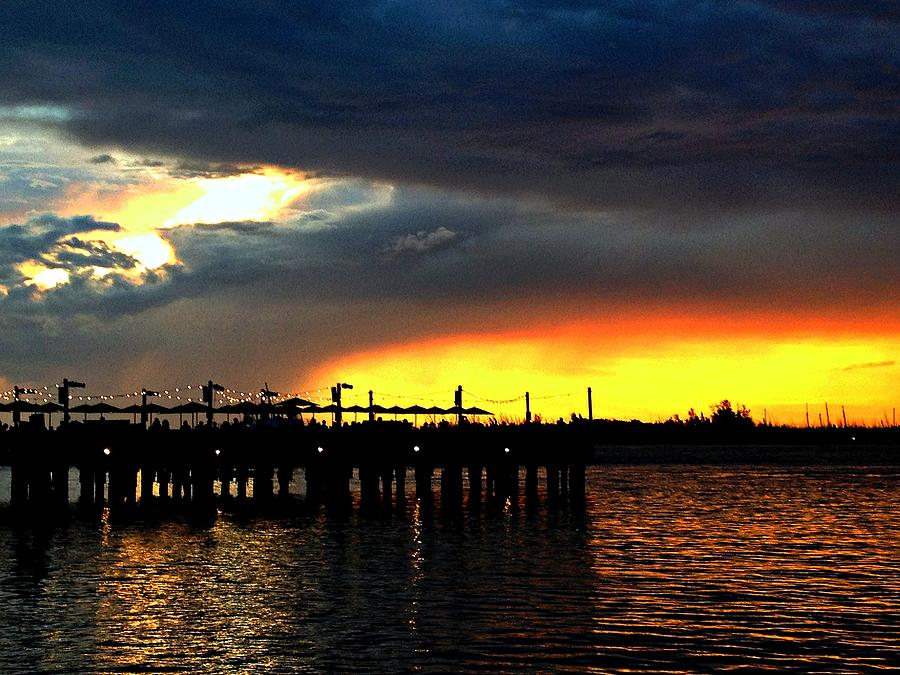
<point x="670" y="202"/>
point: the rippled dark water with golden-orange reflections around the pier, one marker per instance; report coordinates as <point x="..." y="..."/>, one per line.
<point x="675" y="569"/>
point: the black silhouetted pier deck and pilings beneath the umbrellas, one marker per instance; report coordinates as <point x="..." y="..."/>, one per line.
<point x="126" y="465"/>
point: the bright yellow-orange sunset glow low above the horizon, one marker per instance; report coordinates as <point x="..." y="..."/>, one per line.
<point x="647" y="367"/>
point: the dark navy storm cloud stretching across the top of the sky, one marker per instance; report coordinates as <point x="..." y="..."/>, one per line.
<point x="707" y="105"/>
